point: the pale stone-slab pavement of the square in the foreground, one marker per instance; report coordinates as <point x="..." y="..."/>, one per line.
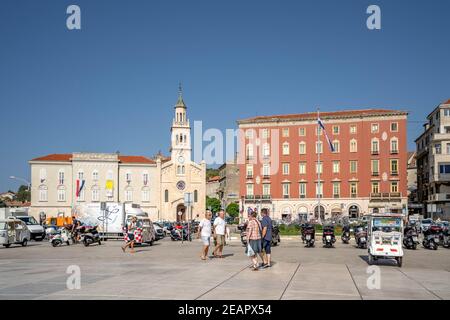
<point x="172" y="270"/>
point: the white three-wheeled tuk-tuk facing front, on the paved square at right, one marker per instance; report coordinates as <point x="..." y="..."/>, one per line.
<point x="385" y="233"/>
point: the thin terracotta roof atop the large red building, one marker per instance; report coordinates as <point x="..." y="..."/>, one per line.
<point x="324" y="115"/>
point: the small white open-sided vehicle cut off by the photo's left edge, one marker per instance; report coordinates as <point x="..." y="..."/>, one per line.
<point x="13" y="231"/>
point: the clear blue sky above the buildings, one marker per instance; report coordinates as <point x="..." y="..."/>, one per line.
<point x="112" y="85"/>
